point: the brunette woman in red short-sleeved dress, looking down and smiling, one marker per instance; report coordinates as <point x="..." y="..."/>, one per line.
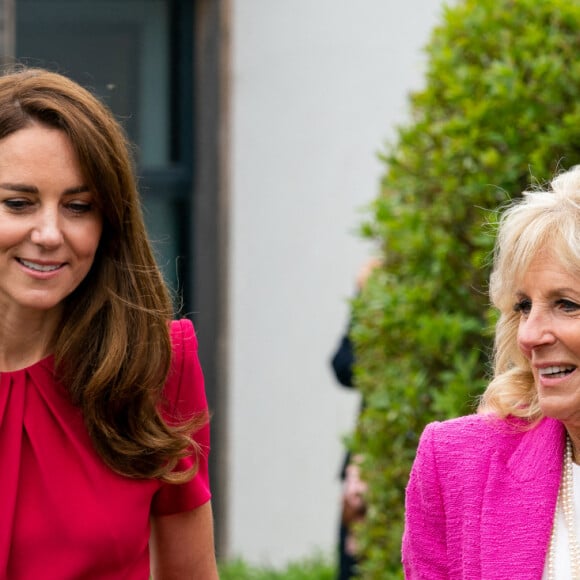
<point x="103" y="416"/>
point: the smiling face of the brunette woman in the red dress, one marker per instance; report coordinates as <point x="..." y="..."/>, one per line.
<point x="50" y="226"/>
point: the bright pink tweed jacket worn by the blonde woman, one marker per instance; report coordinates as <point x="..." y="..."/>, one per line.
<point x="481" y="499"/>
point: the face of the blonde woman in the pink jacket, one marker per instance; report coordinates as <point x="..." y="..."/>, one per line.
<point x="548" y="301"/>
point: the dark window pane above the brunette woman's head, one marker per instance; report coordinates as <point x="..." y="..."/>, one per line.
<point x="117" y="48"/>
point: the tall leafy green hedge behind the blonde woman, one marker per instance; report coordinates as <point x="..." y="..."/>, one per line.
<point x="500" y="110"/>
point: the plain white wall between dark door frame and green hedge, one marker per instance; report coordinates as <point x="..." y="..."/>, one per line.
<point x="317" y="88"/>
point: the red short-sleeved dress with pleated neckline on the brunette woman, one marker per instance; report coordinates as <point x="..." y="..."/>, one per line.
<point x="64" y="514"/>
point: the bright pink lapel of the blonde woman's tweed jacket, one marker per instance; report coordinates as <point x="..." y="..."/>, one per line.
<point x="519" y="504"/>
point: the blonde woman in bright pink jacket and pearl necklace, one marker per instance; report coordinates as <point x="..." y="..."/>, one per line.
<point x="497" y="494"/>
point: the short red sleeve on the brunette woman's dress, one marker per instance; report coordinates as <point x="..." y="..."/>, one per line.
<point x="185" y="398"/>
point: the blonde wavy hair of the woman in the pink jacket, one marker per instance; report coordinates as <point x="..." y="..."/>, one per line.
<point x="542" y="220"/>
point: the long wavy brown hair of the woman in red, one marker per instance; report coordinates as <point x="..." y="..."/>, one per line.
<point x="112" y="348"/>
